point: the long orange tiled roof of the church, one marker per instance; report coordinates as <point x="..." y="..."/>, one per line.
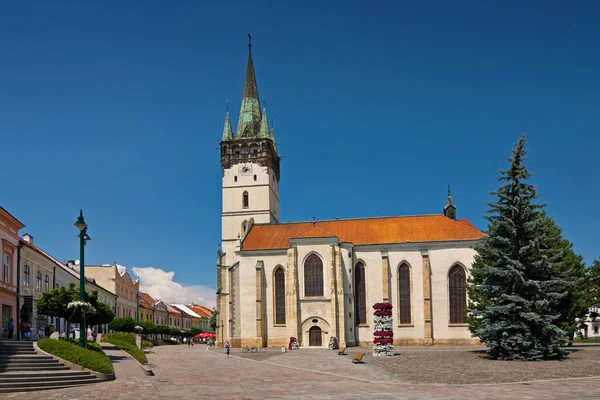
<point x="416" y="228"/>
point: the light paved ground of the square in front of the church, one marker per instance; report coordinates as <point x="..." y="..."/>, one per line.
<point x="195" y="373"/>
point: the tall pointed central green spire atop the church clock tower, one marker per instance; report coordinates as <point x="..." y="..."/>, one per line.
<point x="250" y="117"/>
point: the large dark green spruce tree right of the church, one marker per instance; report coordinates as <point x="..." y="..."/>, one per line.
<point x="514" y="277"/>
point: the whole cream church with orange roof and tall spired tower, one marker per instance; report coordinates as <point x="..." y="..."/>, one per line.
<point x="317" y="279"/>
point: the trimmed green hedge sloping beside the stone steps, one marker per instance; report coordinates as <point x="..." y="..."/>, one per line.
<point x="91" y="359"/>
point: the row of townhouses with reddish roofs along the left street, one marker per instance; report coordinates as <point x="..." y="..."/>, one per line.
<point x="28" y="272"/>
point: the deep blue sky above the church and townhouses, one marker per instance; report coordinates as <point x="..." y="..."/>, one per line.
<point x="118" y="108"/>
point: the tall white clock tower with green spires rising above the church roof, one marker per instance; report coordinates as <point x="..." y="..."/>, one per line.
<point x="250" y="169"/>
